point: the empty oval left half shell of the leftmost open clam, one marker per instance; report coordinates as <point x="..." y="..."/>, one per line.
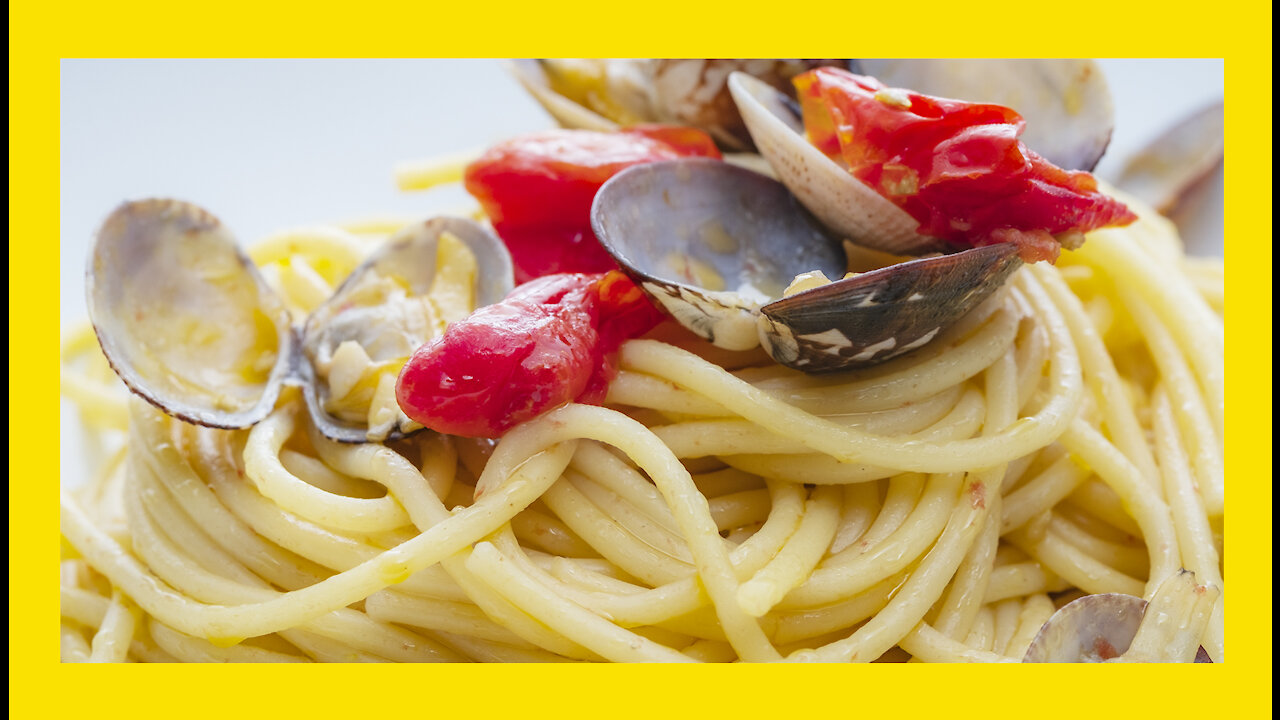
<point x="184" y="316"/>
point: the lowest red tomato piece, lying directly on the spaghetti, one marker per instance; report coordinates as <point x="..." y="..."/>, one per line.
<point x="550" y="343"/>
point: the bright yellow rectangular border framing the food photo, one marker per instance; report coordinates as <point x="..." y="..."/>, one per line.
<point x="1241" y="33"/>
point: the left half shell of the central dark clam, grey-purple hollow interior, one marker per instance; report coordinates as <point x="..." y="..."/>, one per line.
<point x="711" y="243"/>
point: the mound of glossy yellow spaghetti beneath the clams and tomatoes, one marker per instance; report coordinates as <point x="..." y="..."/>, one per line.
<point x="1066" y="439"/>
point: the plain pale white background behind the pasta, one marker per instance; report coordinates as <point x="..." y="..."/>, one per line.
<point x="275" y="144"/>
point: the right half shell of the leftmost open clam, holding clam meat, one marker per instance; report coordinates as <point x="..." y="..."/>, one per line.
<point x="391" y="331"/>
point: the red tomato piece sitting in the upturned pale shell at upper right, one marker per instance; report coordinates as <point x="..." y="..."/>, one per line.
<point x="957" y="167"/>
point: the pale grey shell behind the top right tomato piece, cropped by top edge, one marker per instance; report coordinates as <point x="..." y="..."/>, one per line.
<point x="1067" y="103"/>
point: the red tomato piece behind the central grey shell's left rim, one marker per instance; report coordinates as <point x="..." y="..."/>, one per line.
<point x="538" y="190"/>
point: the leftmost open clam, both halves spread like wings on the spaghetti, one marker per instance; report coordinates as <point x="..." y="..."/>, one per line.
<point x="189" y="323"/>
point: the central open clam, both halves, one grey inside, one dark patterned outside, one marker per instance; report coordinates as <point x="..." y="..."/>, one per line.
<point x="717" y="245"/>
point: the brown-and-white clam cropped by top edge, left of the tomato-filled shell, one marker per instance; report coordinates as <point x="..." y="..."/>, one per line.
<point x="606" y="94"/>
